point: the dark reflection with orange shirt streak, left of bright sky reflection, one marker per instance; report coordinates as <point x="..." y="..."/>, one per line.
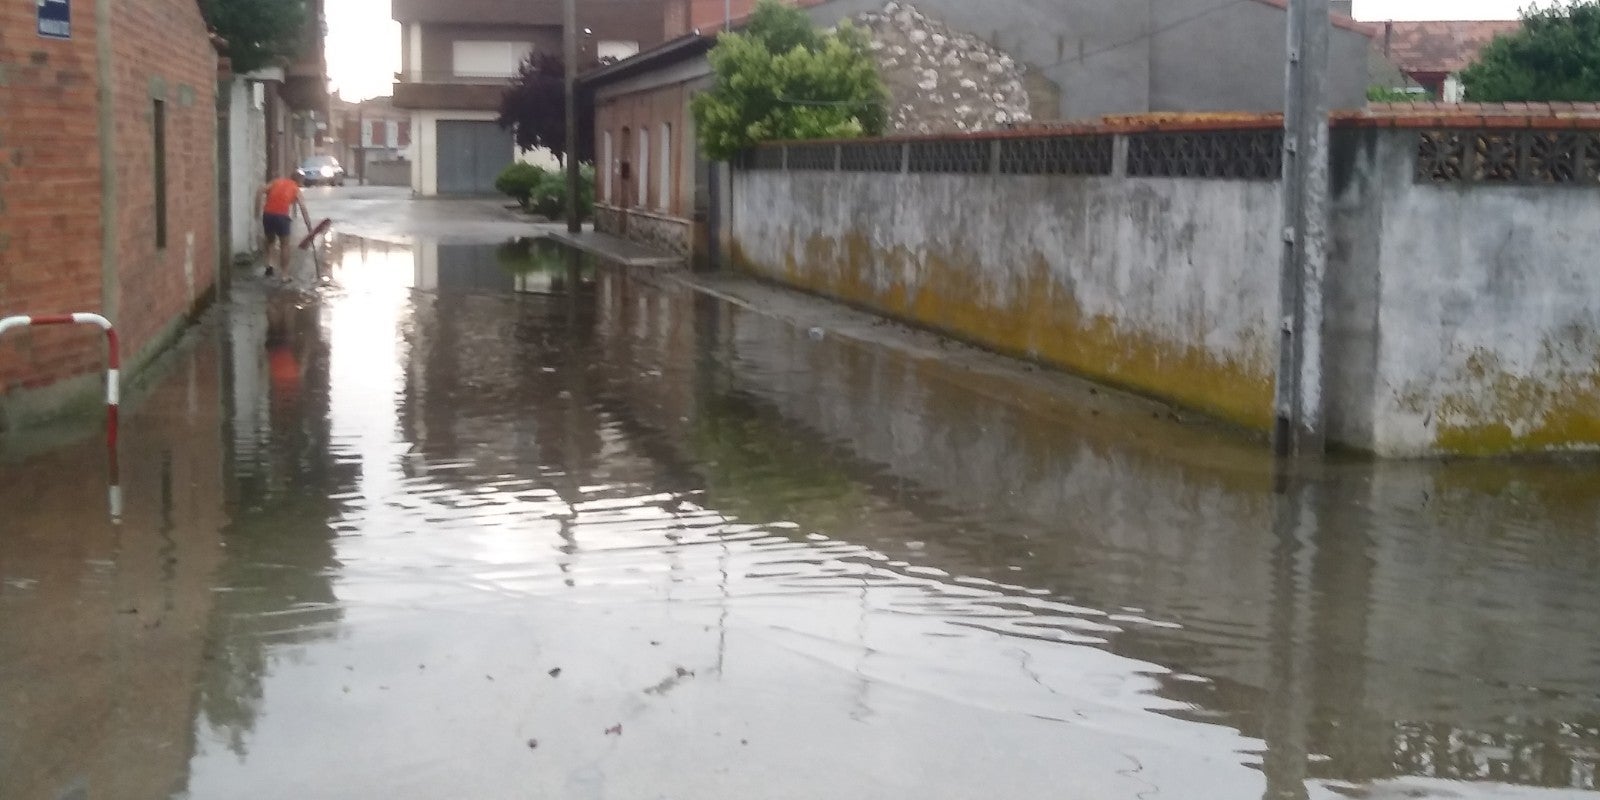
<point x="274" y="591"/>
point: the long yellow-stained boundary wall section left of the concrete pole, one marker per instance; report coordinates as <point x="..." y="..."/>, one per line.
<point x="1161" y="286"/>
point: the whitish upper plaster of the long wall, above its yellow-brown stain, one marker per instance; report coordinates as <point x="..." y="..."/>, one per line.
<point x="1186" y="263"/>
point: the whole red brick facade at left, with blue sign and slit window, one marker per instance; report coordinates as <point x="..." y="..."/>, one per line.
<point x="108" y="190"/>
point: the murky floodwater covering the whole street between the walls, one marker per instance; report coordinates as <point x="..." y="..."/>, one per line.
<point x="468" y="522"/>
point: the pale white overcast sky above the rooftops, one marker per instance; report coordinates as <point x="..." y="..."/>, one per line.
<point x="364" y="42"/>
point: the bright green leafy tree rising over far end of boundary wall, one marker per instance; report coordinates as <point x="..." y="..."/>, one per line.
<point x="783" y="79"/>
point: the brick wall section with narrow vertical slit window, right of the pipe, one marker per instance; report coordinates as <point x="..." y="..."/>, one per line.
<point x="162" y="49"/>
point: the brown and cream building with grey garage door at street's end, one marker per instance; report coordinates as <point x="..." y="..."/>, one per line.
<point x="457" y="58"/>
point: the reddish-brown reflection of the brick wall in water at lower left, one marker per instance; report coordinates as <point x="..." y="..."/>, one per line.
<point x="102" y="626"/>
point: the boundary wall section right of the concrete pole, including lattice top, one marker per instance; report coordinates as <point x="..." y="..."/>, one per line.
<point x="1465" y="298"/>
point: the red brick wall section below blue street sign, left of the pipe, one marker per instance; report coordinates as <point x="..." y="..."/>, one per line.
<point x="50" y="201"/>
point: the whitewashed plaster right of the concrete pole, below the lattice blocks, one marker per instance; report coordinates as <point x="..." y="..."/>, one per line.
<point x="1490" y="308"/>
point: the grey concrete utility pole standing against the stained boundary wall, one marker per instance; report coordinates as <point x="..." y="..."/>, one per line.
<point x="1298" y="404"/>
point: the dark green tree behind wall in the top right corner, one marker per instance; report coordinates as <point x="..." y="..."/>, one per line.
<point x="1554" y="57"/>
